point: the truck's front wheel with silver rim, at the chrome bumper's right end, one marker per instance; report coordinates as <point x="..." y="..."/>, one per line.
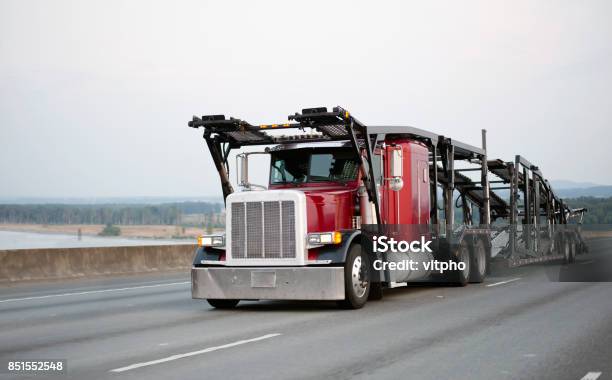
<point x="357" y="283"/>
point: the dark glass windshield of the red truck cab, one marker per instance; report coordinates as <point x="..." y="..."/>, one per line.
<point x="313" y="165"/>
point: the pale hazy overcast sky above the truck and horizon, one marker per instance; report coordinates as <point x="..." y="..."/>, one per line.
<point x="95" y="95"/>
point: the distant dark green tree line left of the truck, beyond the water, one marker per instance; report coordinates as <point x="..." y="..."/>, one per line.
<point x="167" y="213"/>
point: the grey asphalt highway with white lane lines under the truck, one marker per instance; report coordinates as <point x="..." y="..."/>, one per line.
<point x="519" y="325"/>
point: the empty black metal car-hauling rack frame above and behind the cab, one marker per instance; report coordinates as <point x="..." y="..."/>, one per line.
<point x="519" y="177"/>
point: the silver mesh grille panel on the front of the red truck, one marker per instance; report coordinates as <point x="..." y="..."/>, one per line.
<point x="263" y="230"/>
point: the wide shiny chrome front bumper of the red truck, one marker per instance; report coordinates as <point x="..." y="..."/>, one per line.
<point x="277" y="283"/>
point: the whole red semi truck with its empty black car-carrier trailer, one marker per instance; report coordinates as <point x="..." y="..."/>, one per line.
<point x="335" y="183"/>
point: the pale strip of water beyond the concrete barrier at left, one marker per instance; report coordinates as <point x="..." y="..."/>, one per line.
<point x="25" y="240"/>
